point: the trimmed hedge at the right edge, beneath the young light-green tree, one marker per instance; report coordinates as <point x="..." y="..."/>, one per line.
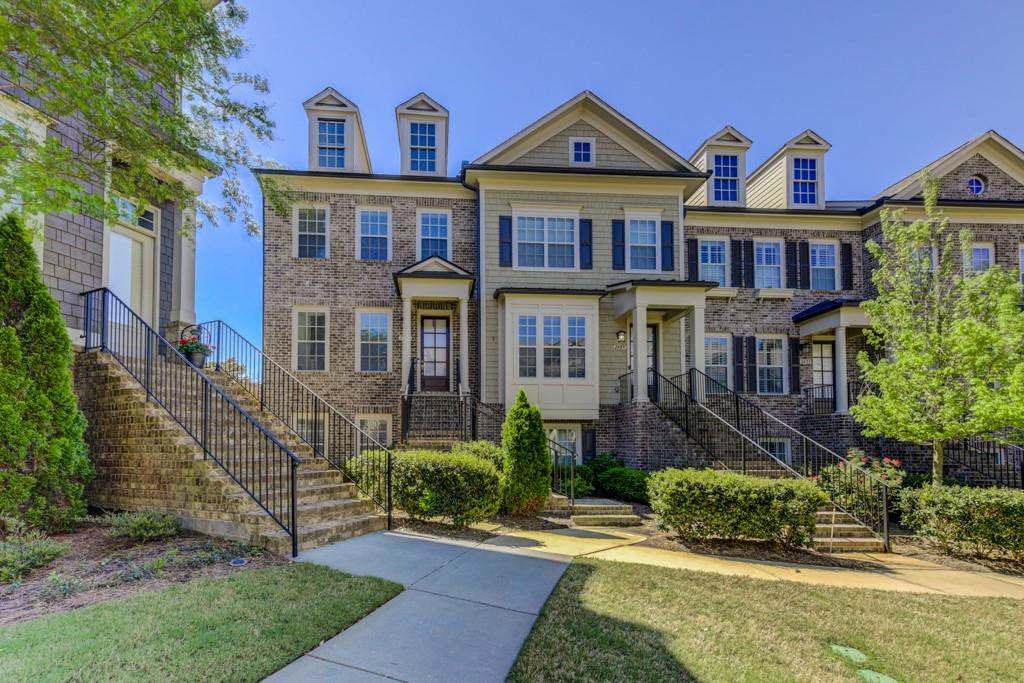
<point x="966" y="520"/>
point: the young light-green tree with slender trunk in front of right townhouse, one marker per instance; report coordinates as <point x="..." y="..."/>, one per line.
<point x="948" y="359"/>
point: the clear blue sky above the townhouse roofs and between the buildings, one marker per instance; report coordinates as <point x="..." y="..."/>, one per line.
<point x="892" y="86"/>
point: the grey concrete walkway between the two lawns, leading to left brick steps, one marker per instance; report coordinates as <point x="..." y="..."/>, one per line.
<point x="464" y="615"/>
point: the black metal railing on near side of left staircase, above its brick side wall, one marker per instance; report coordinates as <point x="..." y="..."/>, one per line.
<point x="229" y="436"/>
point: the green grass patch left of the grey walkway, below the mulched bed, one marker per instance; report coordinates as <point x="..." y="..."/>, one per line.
<point x="237" y="628"/>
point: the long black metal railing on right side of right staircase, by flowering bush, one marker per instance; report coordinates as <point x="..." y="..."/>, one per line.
<point x="851" y="488"/>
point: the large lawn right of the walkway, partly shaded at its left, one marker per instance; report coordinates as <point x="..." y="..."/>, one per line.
<point x="619" y="622"/>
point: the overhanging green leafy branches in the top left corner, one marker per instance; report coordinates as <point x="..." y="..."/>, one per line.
<point x="147" y="84"/>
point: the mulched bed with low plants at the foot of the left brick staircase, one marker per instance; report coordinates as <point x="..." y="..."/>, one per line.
<point x="97" y="568"/>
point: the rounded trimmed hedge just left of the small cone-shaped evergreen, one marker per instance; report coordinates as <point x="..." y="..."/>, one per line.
<point x="458" y="488"/>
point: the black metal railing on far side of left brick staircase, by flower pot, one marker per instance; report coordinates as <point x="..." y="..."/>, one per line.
<point x="363" y="459"/>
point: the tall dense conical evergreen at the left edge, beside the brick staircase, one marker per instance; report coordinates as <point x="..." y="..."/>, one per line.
<point x="44" y="462"/>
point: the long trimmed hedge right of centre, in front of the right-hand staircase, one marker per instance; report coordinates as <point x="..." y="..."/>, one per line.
<point x="713" y="504"/>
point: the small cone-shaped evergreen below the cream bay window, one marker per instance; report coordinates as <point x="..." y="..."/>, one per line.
<point x="528" y="464"/>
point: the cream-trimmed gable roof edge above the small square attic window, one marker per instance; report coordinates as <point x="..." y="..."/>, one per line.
<point x="610" y="121"/>
